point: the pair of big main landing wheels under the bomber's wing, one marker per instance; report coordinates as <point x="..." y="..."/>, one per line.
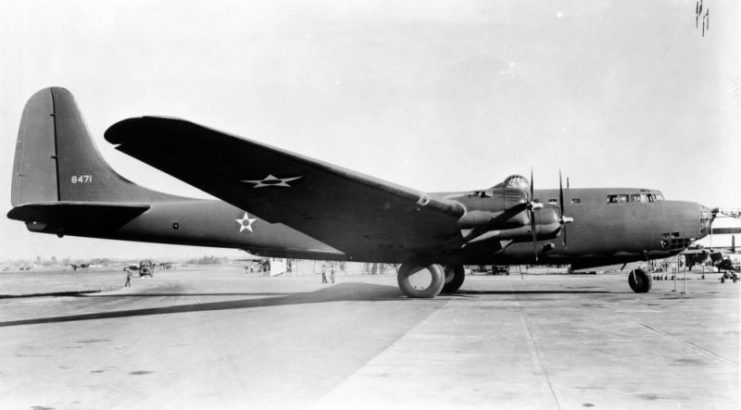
<point x="419" y="280"/>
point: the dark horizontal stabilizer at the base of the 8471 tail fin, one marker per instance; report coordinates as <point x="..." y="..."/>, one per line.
<point x="76" y="218"/>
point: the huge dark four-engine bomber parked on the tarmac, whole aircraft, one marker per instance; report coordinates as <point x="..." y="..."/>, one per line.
<point x="275" y="203"/>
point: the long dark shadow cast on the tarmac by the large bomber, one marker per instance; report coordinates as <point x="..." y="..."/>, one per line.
<point x="340" y="292"/>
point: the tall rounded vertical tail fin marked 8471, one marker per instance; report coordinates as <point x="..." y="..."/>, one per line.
<point x="56" y="160"/>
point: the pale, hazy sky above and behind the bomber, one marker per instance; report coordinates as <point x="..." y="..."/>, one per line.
<point x="433" y="95"/>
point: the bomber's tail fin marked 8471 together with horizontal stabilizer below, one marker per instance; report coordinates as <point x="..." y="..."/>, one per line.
<point x="61" y="183"/>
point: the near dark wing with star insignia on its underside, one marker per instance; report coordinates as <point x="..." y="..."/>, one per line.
<point x="352" y="212"/>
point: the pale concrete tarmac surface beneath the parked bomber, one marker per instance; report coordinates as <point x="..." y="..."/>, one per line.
<point x="220" y="338"/>
